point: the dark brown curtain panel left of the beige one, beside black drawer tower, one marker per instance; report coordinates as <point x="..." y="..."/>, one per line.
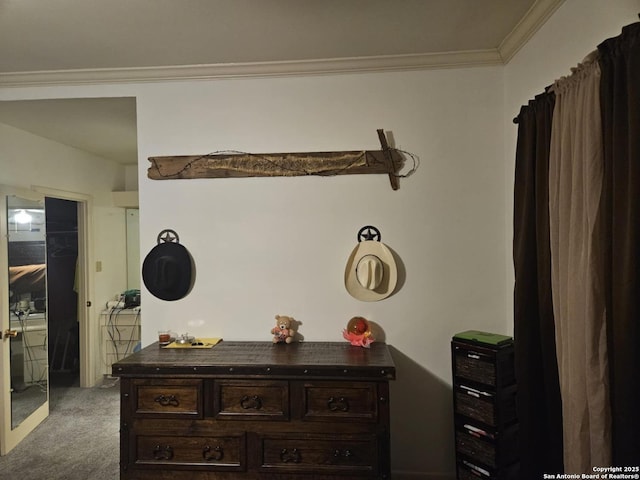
<point x="538" y="398"/>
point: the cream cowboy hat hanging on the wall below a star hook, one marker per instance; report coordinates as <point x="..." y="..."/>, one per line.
<point x="371" y="273"/>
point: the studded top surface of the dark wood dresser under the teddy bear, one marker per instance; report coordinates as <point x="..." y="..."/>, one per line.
<point x="304" y="359"/>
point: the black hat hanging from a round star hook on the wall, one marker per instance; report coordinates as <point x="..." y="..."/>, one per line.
<point x="168" y="269"/>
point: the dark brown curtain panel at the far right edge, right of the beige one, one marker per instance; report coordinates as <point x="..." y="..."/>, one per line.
<point x="620" y="105"/>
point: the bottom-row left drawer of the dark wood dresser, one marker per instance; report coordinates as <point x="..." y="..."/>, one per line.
<point x="212" y="452"/>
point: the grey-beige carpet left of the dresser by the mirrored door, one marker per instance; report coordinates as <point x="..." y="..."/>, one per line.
<point x="78" y="441"/>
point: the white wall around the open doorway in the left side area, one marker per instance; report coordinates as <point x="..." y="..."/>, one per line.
<point x="28" y="160"/>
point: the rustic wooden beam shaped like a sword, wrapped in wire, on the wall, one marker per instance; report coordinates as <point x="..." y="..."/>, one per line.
<point x="239" y="164"/>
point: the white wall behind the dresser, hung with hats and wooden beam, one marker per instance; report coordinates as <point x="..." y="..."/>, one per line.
<point x="266" y="246"/>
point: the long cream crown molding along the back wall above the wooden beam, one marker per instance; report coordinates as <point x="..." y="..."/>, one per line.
<point x="258" y="69"/>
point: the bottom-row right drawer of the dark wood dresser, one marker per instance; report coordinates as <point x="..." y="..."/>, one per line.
<point x="318" y="454"/>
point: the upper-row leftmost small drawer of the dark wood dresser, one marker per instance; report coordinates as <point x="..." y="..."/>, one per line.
<point x="170" y="398"/>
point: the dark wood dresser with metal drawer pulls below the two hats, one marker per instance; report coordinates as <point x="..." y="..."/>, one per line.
<point x="256" y="410"/>
